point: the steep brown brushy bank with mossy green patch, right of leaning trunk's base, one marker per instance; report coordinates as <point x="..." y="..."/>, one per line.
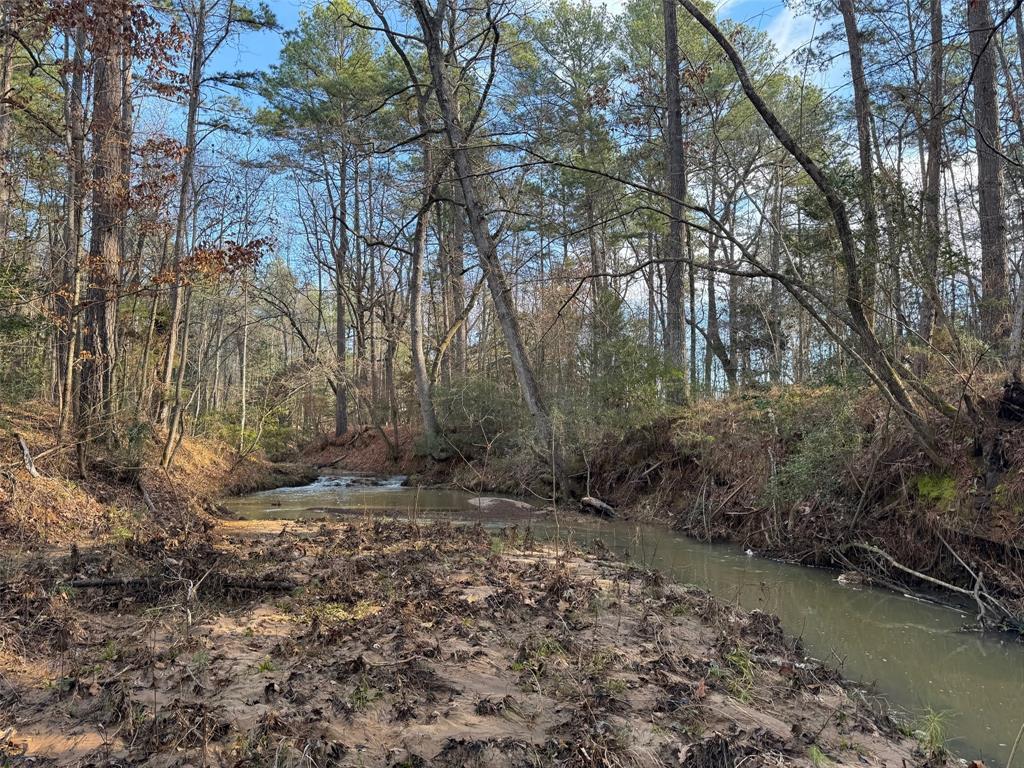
<point x="815" y="475"/>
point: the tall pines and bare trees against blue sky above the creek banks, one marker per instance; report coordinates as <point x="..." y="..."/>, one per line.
<point x="545" y="222"/>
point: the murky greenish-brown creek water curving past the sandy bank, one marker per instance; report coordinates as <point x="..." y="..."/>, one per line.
<point x="913" y="652"/>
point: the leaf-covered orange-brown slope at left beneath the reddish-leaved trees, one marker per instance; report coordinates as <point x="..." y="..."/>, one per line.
<point x="125" y="492"/>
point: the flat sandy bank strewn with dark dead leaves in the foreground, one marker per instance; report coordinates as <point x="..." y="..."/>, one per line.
<point x="395" y="645"/>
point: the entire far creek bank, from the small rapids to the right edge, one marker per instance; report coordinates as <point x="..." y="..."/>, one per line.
<point x="827" y="477"/>
